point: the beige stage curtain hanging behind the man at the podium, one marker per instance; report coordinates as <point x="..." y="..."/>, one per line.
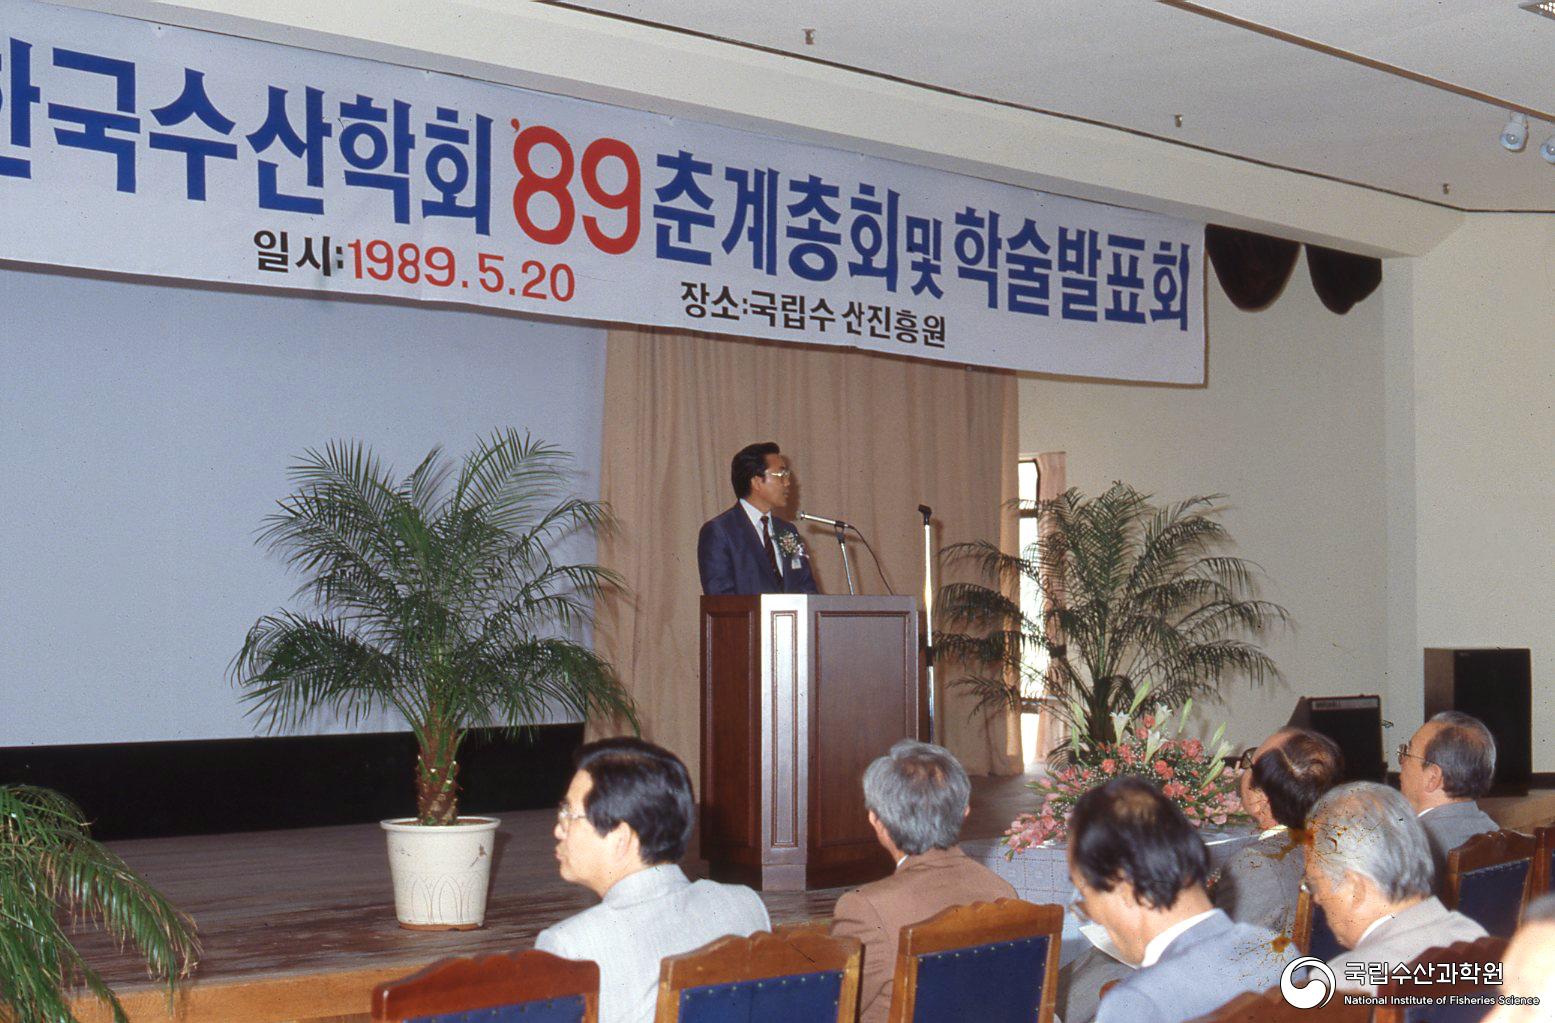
<point x="870" y="439"/>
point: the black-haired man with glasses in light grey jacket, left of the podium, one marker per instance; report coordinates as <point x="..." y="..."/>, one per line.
<point x="621" y="833"/>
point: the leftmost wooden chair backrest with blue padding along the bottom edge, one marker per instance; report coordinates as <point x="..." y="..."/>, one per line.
<point x="520" y="988"/>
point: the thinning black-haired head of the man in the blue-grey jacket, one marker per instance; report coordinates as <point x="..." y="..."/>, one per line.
<point x="1128" y="831"/>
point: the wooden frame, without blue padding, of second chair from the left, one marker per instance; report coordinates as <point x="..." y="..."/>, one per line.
<point x="784" y="952"/>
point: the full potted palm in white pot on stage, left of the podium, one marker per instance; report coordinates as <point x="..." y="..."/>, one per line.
<point x="444" y="598"/>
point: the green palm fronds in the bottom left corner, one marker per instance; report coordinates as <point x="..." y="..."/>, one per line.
<point x="52" y="871"/>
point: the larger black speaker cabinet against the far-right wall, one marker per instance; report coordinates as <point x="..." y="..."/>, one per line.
<point x="1497" y="686"/>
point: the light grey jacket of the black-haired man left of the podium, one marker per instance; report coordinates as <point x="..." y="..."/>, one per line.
<point x="645" y="918"/>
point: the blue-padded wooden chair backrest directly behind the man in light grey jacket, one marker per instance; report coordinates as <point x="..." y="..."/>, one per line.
<point x="791" y="974"/>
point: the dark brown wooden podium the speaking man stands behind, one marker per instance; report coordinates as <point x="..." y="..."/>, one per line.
<point x="798" y="696"/>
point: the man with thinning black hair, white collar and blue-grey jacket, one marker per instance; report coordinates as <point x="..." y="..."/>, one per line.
<point x="1141" y="868"/>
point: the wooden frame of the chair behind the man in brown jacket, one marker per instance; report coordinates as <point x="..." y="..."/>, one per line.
<point x="970" y="926"/>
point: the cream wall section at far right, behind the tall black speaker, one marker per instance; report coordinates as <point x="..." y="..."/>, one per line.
<point x="1483" y="388"/>
